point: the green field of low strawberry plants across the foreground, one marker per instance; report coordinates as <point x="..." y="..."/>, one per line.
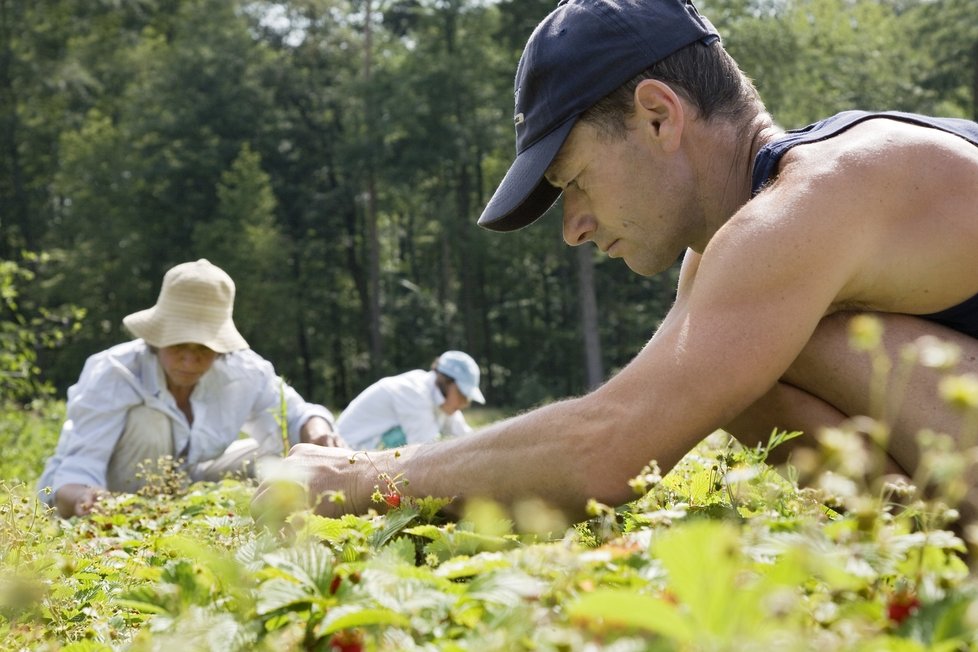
<point x="721" y="554"/>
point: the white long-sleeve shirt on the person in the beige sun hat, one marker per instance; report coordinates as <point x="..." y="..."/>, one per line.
<point x="239" y="393"/>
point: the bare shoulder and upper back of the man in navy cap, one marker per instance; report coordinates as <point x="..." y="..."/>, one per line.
<point x="892" y="206"/>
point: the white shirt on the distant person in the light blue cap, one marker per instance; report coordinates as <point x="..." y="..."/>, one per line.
<point x="411" y="401"/>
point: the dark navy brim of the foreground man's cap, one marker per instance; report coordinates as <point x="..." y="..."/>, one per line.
<point x="524" y="195"/>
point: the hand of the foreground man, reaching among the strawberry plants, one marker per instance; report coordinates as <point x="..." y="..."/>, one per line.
<point x="333" y="484"/>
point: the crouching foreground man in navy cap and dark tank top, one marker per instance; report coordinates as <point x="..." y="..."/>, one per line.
<point x="660" y="146"/>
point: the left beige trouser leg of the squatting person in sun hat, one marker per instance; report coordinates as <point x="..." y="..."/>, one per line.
<point x="147" y="437"/>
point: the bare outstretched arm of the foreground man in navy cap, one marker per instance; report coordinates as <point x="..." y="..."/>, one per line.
<point x="761" y="287"/>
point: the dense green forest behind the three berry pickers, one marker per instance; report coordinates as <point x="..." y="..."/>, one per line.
<point x="333" y="156"/>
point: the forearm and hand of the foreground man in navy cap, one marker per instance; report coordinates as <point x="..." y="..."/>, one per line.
<point x="564" y="453"/>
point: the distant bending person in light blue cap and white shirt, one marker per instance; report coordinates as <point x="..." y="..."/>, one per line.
<point x="414" y="407"/>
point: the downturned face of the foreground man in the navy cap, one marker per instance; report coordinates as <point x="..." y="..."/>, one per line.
<point x="625" y="195"/>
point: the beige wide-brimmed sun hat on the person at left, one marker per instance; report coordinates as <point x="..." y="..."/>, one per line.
<point x="194" y="307"/>
